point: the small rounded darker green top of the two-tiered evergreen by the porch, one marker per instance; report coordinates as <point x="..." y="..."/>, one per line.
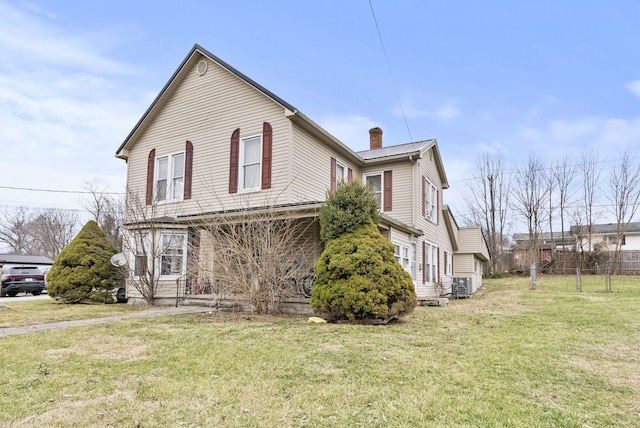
<point x="351" y="206"/>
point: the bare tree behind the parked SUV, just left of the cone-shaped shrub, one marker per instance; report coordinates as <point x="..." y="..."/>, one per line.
<point x="51" y="230"/>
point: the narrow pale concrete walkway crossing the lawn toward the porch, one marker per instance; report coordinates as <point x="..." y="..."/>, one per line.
<point x="35" y="328"/>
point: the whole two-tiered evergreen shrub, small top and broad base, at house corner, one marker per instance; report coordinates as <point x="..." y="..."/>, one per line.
<point x="357" y="275"/>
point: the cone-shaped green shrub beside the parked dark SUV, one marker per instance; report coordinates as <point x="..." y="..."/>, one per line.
<point x="83" y="270"/>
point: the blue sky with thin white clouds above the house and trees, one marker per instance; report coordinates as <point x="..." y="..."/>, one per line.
<point x="552" y="77"/>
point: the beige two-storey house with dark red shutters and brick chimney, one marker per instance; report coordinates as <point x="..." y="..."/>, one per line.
<point x="214" y="142"/>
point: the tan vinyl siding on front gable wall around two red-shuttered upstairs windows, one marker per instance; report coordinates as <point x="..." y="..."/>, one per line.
<point x="206" y="110"/>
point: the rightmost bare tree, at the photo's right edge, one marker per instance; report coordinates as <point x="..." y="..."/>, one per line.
<point x="624" y="195"/>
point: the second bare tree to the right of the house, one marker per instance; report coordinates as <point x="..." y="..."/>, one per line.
<point x="529" y="195"/>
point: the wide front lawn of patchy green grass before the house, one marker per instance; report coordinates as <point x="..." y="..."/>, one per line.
<point x="510" y="356"/>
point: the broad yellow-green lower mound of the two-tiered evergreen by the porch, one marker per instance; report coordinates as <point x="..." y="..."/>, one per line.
<point x="358" y="278"/>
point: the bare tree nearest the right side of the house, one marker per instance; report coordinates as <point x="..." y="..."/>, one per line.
<point x="488" y="200"/>
